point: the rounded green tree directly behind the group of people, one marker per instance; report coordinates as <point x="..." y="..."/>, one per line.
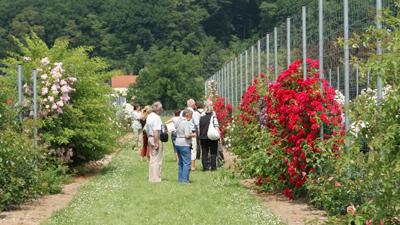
<point x="170" y="77"/>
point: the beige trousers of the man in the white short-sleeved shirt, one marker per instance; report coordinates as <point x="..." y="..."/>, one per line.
<point x="155" y="162"/>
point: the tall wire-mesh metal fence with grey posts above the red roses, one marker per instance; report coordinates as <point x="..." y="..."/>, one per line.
<point x="311" y="33"/>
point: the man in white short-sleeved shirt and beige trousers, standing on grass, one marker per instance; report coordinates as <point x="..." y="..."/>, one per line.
<point x="153" y="129"/>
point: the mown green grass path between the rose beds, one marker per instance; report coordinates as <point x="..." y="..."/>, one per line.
<point x="121" y="194"/>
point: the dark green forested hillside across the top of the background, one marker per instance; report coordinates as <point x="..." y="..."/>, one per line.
<point x="131" y="33"/>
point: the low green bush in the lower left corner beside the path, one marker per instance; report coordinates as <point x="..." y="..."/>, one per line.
<point x="26" y="171"/>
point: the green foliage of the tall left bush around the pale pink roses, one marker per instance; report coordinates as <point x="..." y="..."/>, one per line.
<point x="87" y="126"/>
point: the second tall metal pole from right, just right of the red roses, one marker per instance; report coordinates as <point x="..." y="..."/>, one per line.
<point x="346" y="65"/>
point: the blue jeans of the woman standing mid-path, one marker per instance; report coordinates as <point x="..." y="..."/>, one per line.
<point x="184" y="155"/>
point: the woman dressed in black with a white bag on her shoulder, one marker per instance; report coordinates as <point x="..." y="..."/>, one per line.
<point x="208" y="146"/>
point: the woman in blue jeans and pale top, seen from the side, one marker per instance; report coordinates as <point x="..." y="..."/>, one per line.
<point x="183" y="141"/>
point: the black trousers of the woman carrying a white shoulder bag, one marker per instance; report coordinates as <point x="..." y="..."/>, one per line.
<point x="209" y="147"/>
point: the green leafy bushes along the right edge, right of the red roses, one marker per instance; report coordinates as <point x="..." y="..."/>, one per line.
<point x="369" y="181"/>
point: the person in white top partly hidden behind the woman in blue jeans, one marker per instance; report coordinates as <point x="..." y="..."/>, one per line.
<point x="191" y="105"/>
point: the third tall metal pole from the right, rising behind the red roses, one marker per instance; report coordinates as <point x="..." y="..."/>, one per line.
<point x="321" y="53"/>
